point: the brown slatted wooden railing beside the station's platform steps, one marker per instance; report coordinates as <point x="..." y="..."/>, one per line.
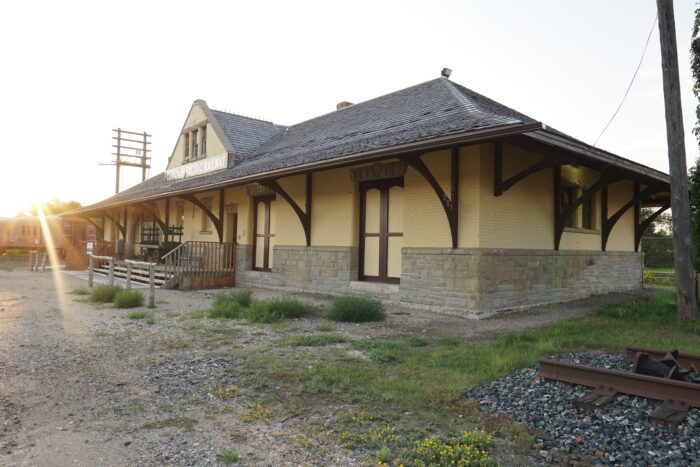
<point x="201" y="259"/>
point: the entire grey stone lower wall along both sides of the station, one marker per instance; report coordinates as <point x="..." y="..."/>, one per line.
<point x="470" y="282"/>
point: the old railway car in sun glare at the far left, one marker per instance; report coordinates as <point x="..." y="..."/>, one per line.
<point x="25" y="233"/>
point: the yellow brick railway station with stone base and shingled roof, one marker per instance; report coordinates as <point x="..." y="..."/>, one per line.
<point x="433" y="196"/>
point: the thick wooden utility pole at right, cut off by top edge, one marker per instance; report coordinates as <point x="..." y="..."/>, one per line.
<point x="680" y="203"/>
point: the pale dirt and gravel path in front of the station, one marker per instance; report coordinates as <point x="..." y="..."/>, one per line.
<point x="80" y="385"/>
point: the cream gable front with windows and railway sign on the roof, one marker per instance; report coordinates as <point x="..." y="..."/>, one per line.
<point x="202" y="146"/>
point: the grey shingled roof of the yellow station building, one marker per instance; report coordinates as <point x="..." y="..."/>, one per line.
<point x="432" y="109"/>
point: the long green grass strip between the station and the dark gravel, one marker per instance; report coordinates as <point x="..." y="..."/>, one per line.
<point x="423" y="378"/>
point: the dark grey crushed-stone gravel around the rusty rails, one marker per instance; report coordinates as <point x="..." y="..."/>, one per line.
<point x="617" y="434"/>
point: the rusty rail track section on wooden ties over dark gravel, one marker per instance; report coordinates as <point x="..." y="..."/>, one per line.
<point x="676" y="396"/>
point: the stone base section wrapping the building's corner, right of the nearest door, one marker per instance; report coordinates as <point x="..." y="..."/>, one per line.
<point x="479" y="282"/>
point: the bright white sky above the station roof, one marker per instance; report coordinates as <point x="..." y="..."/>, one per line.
<point x="73" y="71"/>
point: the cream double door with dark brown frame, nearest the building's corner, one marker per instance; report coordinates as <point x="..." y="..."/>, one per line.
<point x="381" y="230"/>
